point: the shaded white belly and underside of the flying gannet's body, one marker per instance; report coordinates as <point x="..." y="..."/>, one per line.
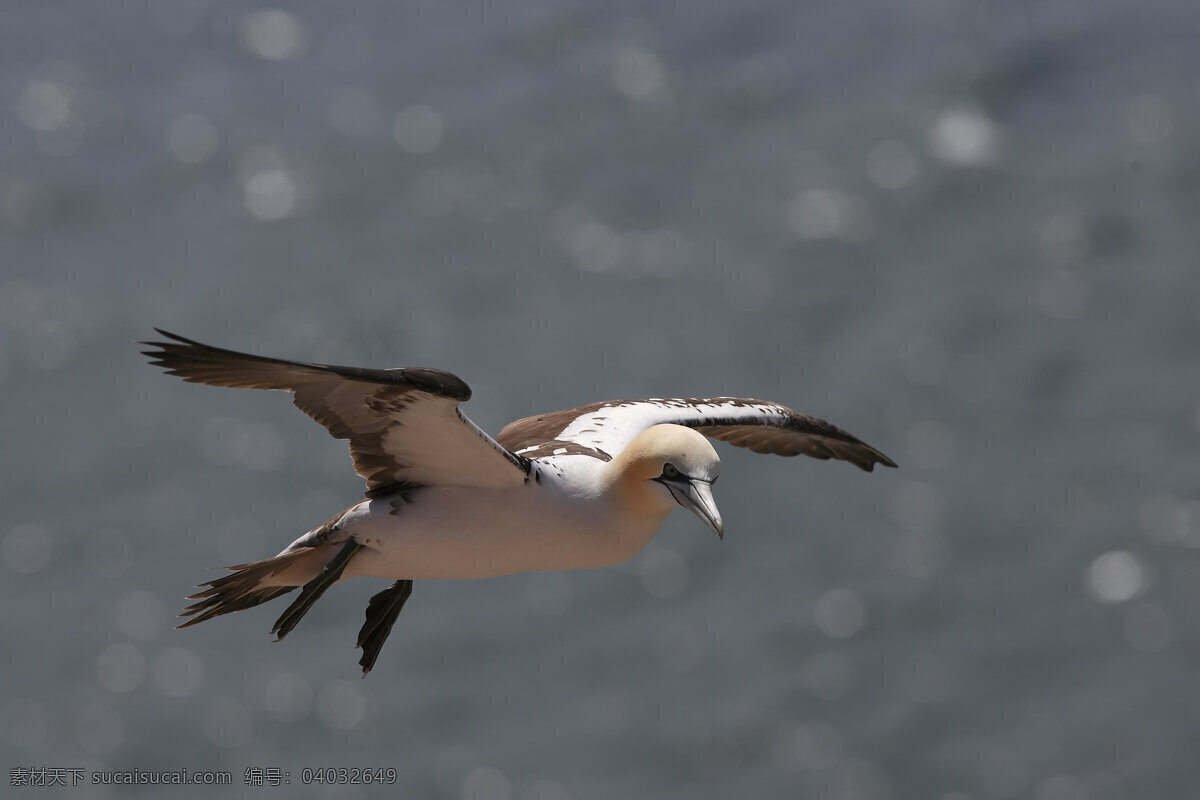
<point x="460" y="533"/>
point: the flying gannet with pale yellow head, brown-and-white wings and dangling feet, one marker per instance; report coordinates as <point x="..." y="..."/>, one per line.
<point x="586" y="488"/>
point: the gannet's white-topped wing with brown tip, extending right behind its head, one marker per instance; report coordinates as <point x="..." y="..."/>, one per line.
<point x="604" y="430"/>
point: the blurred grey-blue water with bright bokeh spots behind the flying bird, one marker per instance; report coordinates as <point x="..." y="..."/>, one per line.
<point x="965" y="231"/>
